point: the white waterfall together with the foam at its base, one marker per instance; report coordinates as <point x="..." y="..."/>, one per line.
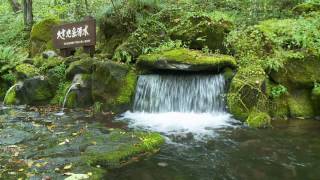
<point x="177" y="104"/>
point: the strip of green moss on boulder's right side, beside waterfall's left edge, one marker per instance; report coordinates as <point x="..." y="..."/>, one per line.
<point x="127" y="90"/>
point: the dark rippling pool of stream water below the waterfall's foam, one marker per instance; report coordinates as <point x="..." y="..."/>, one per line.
<point x="289" y="150"/>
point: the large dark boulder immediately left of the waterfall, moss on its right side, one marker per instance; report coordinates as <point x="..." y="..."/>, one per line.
<point x="113" y="85"/>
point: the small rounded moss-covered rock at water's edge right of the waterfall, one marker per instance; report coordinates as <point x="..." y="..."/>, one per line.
<point x="258" y="120"/>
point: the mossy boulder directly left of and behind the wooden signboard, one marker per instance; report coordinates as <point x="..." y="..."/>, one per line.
<point x="41" y="36"/>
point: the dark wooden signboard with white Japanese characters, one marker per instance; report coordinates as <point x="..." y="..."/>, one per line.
<point x="79" y="34"/>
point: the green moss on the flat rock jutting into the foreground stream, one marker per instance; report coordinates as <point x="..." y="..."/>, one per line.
<point x="143" y="143"/>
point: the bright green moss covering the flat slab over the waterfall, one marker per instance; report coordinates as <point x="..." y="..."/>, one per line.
<point x="186" y="56"/>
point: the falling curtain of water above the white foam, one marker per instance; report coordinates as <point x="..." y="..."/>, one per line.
<point x="169" y="93"/>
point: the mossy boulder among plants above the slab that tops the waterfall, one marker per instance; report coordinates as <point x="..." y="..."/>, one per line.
<point x="200" y="30"/>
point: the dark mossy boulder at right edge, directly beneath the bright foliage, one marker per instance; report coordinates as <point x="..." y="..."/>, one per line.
<point x="298" y="73"/>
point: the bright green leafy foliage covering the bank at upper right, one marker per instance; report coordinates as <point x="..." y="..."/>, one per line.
<point x="273" y="42"/>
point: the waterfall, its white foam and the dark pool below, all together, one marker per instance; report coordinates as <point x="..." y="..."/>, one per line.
<point x="204" y="142"/>
